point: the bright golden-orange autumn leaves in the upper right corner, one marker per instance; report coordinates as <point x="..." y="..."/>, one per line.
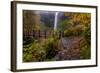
<point x="79" y="18"/>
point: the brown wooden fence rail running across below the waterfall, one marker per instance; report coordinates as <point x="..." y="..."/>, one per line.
<point x="42" y="34"/>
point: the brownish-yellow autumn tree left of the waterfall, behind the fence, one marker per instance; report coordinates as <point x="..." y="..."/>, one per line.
<point x="31" y="21"/>
